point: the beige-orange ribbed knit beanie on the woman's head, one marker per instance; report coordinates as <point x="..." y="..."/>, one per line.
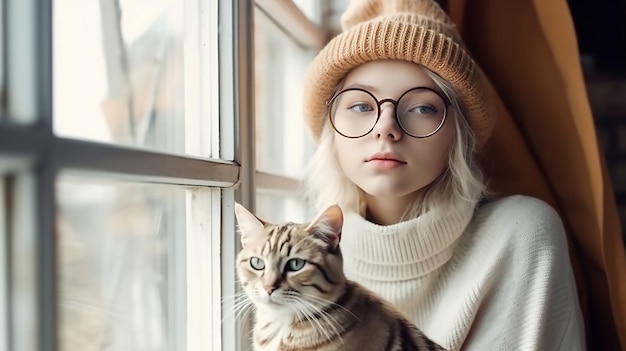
<point x="412" y="30"/>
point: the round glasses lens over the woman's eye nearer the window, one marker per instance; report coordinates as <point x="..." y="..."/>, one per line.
<point x="353" y="113"/>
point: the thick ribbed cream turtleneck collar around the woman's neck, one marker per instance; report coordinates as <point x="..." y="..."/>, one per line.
<point x="404" y="250"/>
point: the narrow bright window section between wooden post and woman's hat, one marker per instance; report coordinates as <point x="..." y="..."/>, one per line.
<point x="286" y="40"/>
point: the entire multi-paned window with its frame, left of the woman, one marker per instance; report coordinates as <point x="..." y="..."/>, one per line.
<point x="126" y="135"/>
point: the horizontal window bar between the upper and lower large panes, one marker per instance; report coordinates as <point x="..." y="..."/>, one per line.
<point x="119" y="161"/>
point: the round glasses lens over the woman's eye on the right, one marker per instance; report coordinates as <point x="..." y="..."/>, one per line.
<point x="421" y="112"/>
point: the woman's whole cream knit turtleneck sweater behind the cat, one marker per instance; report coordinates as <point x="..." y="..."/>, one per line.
<point x="495" y="279"/>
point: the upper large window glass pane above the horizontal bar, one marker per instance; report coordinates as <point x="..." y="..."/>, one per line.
<point x="119" y="73"/>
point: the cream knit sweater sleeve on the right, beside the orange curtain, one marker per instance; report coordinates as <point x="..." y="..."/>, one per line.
<point x="530" y="302"/>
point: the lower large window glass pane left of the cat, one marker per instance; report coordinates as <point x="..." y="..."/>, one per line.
<point x="121" y="265"/>
